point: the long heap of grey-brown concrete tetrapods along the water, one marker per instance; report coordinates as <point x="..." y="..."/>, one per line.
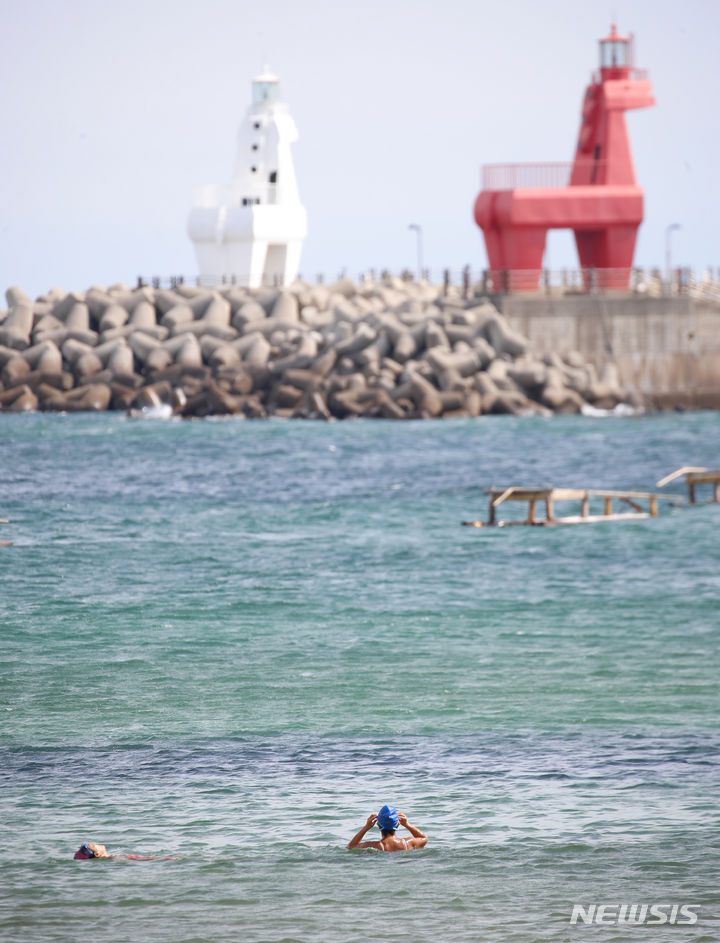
<point x="393" y="349"/>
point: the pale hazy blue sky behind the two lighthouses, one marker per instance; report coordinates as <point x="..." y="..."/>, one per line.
<point x="112" y="112"/>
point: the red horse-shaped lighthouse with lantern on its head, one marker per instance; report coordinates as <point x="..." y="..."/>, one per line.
<point x="598" y="196"/>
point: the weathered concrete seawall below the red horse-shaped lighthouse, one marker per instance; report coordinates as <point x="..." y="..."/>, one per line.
<point x="665" y="349"/>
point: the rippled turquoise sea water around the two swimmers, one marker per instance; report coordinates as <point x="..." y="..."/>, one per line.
<point x="231" y="641"/>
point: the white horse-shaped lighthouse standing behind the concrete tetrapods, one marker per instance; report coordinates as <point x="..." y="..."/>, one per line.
<point x="251" y="231"/>
